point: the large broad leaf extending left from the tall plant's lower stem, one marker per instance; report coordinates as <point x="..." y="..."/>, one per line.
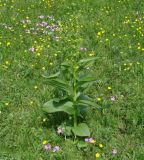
<point x="61" y="106"/>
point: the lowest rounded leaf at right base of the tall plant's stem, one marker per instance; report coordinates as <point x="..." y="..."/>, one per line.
<point x="81" y="130"/>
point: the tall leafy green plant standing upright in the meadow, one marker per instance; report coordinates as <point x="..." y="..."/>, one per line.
<point x="71" y="82"/>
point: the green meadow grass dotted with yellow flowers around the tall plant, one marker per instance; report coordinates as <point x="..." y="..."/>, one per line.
<point x="110" y="30"/>
